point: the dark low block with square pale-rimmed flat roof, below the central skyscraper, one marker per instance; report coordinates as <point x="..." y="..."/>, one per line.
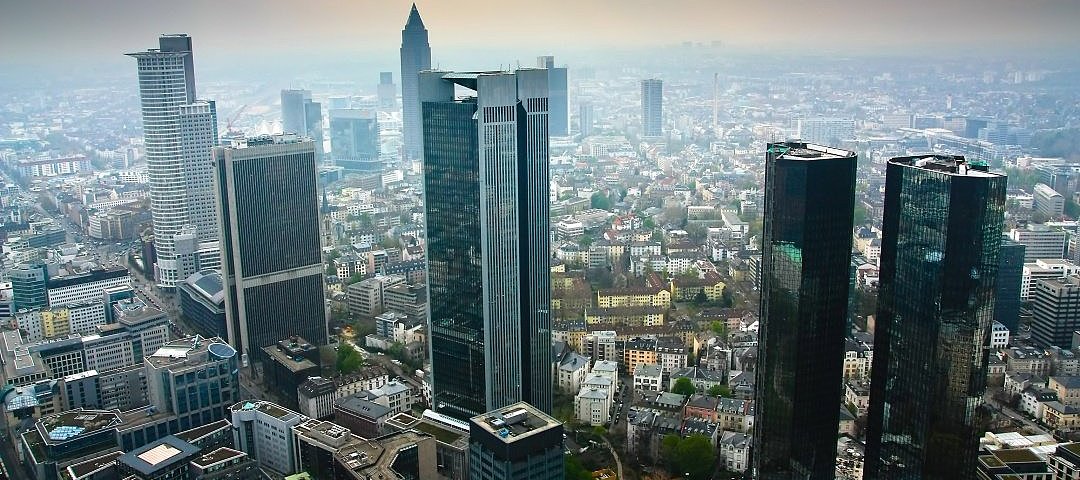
<point x="516" y="443"/>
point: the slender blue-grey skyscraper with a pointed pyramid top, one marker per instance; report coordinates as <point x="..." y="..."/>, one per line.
<point x="416" y="57"/>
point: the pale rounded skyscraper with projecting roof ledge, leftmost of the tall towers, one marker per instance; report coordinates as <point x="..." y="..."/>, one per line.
<point x="179" y="134"/>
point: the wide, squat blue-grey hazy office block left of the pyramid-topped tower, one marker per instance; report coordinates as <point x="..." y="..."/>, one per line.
<point x="355" y="140"/>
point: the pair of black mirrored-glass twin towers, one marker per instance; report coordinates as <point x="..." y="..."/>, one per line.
<point x="941" y="233"/>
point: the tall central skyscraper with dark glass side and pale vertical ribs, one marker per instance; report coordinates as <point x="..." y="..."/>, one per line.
<point x="489" y="263"/>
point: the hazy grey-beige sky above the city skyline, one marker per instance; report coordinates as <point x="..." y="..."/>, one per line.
<point x="37" y="31"/>
